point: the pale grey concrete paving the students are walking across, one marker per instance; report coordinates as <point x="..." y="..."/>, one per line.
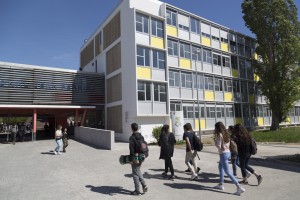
<point x="29" y="171"/>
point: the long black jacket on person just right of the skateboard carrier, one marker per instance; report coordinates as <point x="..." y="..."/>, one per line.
<point x="166" y="143"/>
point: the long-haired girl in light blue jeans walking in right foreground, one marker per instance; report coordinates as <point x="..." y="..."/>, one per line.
<point x="222" y="142"/>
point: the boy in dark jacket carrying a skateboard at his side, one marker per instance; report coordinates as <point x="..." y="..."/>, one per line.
<point x="135" y="146"/>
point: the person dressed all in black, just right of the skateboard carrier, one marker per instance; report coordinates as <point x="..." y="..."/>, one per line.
<point x="166" y="143"/>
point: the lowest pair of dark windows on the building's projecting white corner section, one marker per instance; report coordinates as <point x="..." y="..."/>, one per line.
<point x="145" y="91"/>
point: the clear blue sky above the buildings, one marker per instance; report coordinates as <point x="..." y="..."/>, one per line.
<point x="51" y="32"/>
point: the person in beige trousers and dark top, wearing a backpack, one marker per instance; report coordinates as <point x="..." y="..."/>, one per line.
<point x="191" y="152"/>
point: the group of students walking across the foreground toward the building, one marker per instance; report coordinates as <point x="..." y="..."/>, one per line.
<point x="234" y="143"/>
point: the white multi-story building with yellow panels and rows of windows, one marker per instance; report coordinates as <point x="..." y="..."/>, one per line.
<point x="158" y="58"/>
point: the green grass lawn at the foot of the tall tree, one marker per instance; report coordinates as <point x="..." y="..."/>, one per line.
<point x="287" y="135"/>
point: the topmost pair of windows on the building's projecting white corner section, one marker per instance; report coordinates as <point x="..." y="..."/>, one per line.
<point x="143" y="25"/>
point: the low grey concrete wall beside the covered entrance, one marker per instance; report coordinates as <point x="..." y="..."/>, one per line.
<point x="103" y="139"/>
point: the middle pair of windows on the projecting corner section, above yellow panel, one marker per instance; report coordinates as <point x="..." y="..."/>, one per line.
<point x="150" y="57"/>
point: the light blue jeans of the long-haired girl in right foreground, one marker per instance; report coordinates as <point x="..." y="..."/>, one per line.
<point x="224" y="166"/>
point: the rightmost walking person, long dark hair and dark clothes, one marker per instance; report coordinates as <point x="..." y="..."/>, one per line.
<point x="244" y="143"/>
